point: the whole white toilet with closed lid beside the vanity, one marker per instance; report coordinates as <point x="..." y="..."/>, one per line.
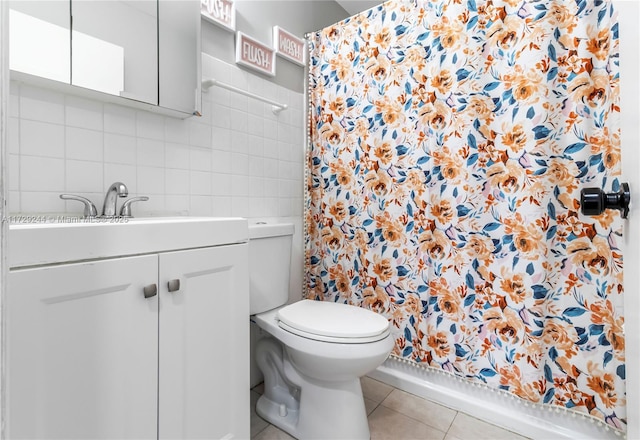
<point x="318" y="351"/>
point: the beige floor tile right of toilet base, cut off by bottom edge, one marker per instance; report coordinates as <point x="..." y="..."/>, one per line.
<point x="384" y="423"/>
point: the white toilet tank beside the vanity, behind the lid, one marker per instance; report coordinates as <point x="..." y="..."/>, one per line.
<point x="269" y="265"/>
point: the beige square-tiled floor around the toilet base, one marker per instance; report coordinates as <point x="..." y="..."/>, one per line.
<point x="397" y="415"/>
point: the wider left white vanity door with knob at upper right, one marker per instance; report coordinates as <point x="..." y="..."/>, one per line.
<point x="82" y="351"/>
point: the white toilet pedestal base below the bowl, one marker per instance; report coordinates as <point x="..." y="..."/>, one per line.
<point x="307" y="408"/>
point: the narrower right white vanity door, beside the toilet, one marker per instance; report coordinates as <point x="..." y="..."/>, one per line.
<point x="204" y="344"/>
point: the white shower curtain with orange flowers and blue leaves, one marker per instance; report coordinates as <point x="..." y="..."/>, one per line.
<point x="449" y="142"/>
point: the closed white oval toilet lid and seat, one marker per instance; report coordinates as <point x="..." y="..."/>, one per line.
<point x="333" y="322"/>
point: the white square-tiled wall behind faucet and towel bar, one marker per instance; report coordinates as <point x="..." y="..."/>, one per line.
<point x="238" y="159"/>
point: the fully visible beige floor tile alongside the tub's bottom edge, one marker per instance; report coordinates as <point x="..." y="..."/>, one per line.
<point x="424" y="411"/>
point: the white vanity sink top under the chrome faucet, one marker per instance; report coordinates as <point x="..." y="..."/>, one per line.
<point x="32" y="244"/>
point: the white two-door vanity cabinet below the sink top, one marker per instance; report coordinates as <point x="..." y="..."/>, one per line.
<point x="90" y="356"/>
